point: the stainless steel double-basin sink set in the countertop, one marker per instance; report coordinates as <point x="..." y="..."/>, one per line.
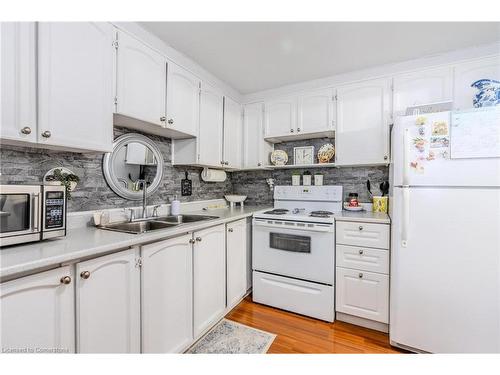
<point x="154" y="223"/>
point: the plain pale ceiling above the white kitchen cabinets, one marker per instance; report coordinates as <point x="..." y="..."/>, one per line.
<point x="255" y="56"/>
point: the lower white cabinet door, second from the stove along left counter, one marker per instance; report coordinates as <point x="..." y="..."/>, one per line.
<point x="209" y="275"/>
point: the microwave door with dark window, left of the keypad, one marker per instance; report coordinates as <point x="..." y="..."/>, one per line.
<point x="19" y="213"/>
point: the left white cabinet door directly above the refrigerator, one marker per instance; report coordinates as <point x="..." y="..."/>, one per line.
<point x="423" y="87"/>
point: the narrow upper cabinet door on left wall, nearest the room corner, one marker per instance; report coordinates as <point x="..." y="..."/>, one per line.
<point x="233" y="130"/>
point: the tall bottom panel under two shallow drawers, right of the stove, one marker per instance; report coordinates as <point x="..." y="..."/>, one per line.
<point x="363" y="294"/>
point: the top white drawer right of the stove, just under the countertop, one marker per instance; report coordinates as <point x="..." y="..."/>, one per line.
<point x="363" y="234"/>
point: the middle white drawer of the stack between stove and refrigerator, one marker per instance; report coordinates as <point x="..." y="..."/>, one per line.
<point x="362" y="258"/>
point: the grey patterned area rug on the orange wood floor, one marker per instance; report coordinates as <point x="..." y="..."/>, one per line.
<point x="229" y="337"/>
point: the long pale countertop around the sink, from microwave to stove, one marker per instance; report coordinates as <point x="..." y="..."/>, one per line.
<point x="86" y="242"/>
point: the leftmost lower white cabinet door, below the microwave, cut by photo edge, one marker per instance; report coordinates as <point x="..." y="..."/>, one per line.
<point x="38" y="312"/>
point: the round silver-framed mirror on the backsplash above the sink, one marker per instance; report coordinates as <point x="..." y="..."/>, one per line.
<point x="135" y="158"/>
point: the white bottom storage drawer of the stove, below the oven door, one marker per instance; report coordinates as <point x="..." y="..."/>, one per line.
<point x="302" y="297"/>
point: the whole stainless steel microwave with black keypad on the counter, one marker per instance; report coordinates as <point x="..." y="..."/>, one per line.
<point x="31" y="213"/>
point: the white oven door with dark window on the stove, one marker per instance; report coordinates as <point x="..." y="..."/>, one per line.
<point x="299" y="250"/>
